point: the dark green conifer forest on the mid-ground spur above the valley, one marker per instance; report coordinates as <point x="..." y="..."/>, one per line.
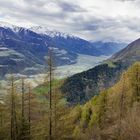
<point x="91" y="82"/>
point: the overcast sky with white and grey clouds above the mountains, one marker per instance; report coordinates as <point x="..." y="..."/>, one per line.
<point x="113" y="20"/>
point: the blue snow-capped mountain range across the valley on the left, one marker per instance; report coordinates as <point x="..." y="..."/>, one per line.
<point x="23" y="50"/>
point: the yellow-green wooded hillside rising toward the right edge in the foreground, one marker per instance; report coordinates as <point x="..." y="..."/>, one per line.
<point x="113" y="114"/>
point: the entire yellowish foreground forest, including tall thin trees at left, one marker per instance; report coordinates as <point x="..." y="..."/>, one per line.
<point x="43" y="113"/>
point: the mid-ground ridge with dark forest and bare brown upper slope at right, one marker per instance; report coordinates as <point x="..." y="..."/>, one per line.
<point x="81" y="87"/>
